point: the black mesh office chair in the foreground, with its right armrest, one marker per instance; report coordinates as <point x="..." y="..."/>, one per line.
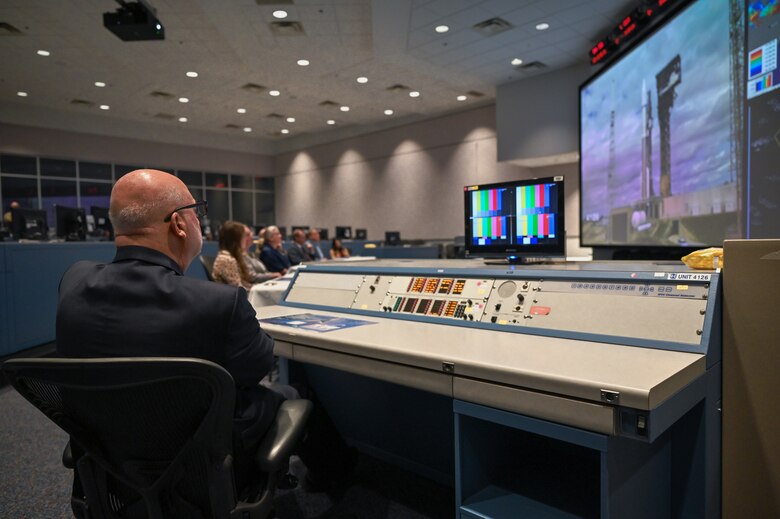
<point x="153" y="437"/>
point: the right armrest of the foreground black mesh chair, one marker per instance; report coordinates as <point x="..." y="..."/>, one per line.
<point x="283" y="436"/>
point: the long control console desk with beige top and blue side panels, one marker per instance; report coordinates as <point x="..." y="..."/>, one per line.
<point x="575" y="390"/>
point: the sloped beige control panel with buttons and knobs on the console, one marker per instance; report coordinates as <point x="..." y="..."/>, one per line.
<point x="666" y="310"/>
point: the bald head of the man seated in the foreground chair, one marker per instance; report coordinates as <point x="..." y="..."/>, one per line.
<point x="141" y="200"/>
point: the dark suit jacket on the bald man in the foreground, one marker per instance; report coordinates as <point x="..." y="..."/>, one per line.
<point x="142" y="305"/>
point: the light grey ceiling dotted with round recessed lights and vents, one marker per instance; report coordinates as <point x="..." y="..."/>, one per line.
<point x="230" y="43"/>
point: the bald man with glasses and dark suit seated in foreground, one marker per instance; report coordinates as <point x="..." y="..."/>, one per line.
<point x="141" y="304"/>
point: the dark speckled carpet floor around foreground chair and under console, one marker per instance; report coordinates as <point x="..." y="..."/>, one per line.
<point x="35" y="484"/>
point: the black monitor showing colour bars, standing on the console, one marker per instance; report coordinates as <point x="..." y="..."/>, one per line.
<point x="515" y="220"/>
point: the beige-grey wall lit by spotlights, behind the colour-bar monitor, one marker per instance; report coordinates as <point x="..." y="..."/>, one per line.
<point x="408" y="179"/>
